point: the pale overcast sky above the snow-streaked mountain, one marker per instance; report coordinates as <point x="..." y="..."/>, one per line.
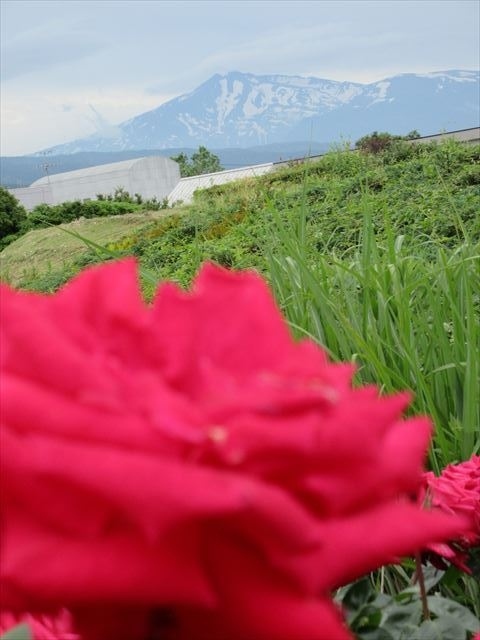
<point x="70" y="68"/>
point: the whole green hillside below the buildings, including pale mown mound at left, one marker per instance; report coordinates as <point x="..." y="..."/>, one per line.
<point x="428" y="194"/>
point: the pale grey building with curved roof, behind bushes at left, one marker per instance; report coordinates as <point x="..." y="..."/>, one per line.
<point x="153" y="176"/>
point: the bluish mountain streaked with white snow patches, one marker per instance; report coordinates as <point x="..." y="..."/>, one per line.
<point x="243" y="110"/>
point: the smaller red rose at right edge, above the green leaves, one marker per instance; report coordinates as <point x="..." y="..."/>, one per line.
<point x="456" y="491"/>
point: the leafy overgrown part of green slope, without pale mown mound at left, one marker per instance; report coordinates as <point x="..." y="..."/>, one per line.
<point x="430" y="196"/>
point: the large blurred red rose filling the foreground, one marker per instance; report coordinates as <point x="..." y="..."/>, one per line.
<point x="189" y="466"/>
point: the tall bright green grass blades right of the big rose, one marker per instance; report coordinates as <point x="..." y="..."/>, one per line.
<point x="407" y="321"/>
